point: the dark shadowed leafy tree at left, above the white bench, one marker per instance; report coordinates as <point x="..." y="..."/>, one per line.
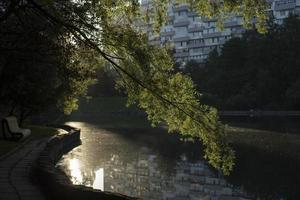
<point x="39" y="68"/>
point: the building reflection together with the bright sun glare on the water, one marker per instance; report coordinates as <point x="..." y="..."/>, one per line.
<point x="145" y="177"/>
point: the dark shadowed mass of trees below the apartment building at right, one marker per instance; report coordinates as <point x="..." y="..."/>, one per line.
<point x="255" y="71"/>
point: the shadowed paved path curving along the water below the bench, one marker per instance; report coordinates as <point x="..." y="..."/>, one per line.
<point x="15" y="183"/>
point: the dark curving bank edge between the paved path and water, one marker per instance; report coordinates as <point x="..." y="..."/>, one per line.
<point x="54" y="182"/>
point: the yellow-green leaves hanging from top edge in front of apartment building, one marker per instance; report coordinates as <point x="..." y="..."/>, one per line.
<point x="251" y="11"/>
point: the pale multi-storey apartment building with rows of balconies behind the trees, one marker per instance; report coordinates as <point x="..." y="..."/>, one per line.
<point x="194" y="36"/>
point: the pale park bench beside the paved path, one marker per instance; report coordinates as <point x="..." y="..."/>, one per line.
<point x="11" y="129"/>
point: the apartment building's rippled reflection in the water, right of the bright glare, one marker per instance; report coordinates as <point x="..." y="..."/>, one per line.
<point x="143" y="178"/>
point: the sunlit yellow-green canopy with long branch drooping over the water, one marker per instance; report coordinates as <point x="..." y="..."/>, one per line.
<point x="107" y="31"/>
